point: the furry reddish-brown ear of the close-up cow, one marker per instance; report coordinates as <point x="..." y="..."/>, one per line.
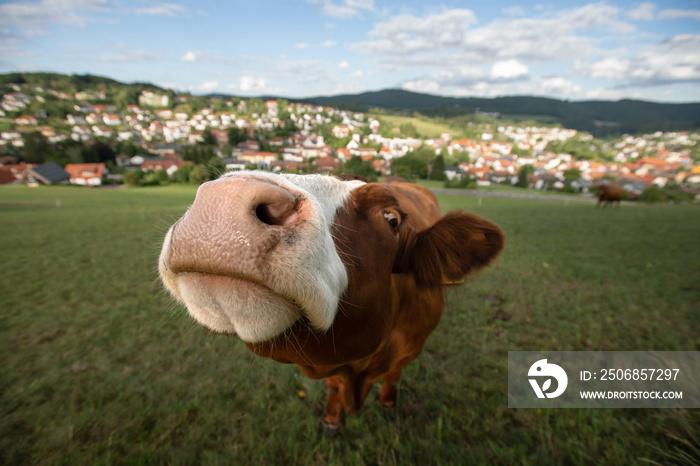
<point x="452" y="248"/>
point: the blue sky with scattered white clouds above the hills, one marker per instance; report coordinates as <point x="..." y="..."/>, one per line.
<point x="573" y="50"/>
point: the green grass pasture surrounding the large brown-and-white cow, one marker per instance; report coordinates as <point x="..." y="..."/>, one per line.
<point x="97" y="366"/>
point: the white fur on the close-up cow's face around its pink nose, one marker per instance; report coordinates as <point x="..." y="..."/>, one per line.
<point x="303" y="280"/>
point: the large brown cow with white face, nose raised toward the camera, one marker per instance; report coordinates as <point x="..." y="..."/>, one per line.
<point x="345" y="279"/>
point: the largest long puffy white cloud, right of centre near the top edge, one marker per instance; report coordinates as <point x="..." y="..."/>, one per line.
<point x="549" y="37"/>
